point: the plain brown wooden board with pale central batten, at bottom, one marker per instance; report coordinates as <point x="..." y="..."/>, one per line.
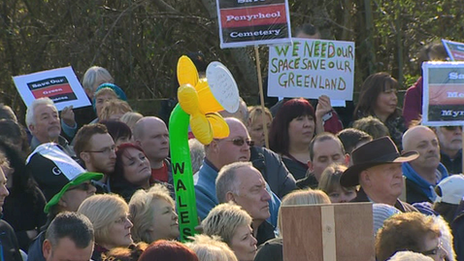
<point x="334" y="232"/>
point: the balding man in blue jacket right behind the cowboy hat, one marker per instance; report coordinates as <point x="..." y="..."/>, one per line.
<point x="423" y="173"/>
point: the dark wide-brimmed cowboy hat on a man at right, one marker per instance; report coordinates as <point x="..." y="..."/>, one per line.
<point x="377" y="152"/>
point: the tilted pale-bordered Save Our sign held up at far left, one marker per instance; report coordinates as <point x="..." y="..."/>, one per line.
<point x="61" y="85"/>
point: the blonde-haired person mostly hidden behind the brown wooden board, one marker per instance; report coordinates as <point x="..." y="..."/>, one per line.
<point x="272" y="249"/>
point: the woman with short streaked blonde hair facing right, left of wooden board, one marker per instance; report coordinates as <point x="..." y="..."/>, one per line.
<point x="232" y="224"/>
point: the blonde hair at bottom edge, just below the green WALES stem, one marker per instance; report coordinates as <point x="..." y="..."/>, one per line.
<point x="211" y="248"/>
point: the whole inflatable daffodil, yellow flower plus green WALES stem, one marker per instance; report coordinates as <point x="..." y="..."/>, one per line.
<point x="199" y="102"/>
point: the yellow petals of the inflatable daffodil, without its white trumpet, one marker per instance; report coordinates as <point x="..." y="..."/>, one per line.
<point x="197" y="100"/>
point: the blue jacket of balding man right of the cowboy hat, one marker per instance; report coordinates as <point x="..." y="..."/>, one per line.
<point x="417" y="188"/>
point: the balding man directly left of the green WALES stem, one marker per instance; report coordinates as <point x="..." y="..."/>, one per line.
<point x="151" y="134"/>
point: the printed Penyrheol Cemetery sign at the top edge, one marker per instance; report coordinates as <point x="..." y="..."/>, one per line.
<point x="253" y="22"/>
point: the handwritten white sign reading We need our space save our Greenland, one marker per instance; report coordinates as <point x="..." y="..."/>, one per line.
<point x="311" y="68"/>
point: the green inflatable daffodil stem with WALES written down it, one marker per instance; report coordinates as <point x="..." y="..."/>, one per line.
<point x="182" y="173"/>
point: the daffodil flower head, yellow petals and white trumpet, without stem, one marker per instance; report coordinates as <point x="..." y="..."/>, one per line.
<point x="203" y="98"/>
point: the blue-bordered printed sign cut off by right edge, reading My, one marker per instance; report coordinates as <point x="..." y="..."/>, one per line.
<point x="443" y="98"/>
